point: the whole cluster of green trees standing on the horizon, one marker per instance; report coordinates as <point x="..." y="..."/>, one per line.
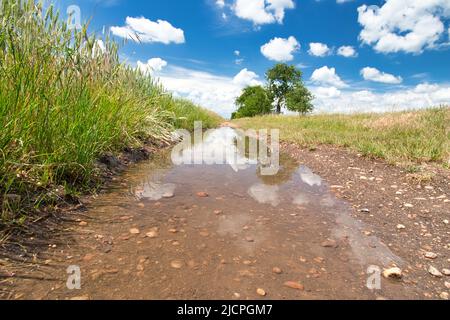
<point x="284" y="89"/>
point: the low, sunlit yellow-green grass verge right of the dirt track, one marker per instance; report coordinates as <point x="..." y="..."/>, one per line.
<point x="419" y="136"/>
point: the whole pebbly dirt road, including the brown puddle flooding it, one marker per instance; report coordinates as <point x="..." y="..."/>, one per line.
<point x="165" y="231"/>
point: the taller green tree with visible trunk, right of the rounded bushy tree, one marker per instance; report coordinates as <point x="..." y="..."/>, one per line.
<point x="285" y="81"/>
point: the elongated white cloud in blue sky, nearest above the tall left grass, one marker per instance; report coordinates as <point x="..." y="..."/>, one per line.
<point x="147" y="31"/>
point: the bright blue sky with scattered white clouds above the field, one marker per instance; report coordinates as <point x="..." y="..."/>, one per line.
<point x="354" y="56"/>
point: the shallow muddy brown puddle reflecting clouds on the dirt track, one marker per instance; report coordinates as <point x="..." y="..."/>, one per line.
<point x="209" y="231"/>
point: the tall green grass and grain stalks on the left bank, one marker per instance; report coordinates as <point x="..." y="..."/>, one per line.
<point x="65" y="99"/>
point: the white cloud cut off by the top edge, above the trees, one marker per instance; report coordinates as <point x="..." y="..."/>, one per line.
<point x="262" y="11"/>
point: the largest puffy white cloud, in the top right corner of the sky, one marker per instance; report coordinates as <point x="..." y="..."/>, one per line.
<point x="410" y="26"/>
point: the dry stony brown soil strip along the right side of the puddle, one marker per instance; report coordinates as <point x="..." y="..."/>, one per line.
<point x="388" y="192"/>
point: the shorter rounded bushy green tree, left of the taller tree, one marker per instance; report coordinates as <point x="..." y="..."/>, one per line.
<point x="253" y="101"/>
